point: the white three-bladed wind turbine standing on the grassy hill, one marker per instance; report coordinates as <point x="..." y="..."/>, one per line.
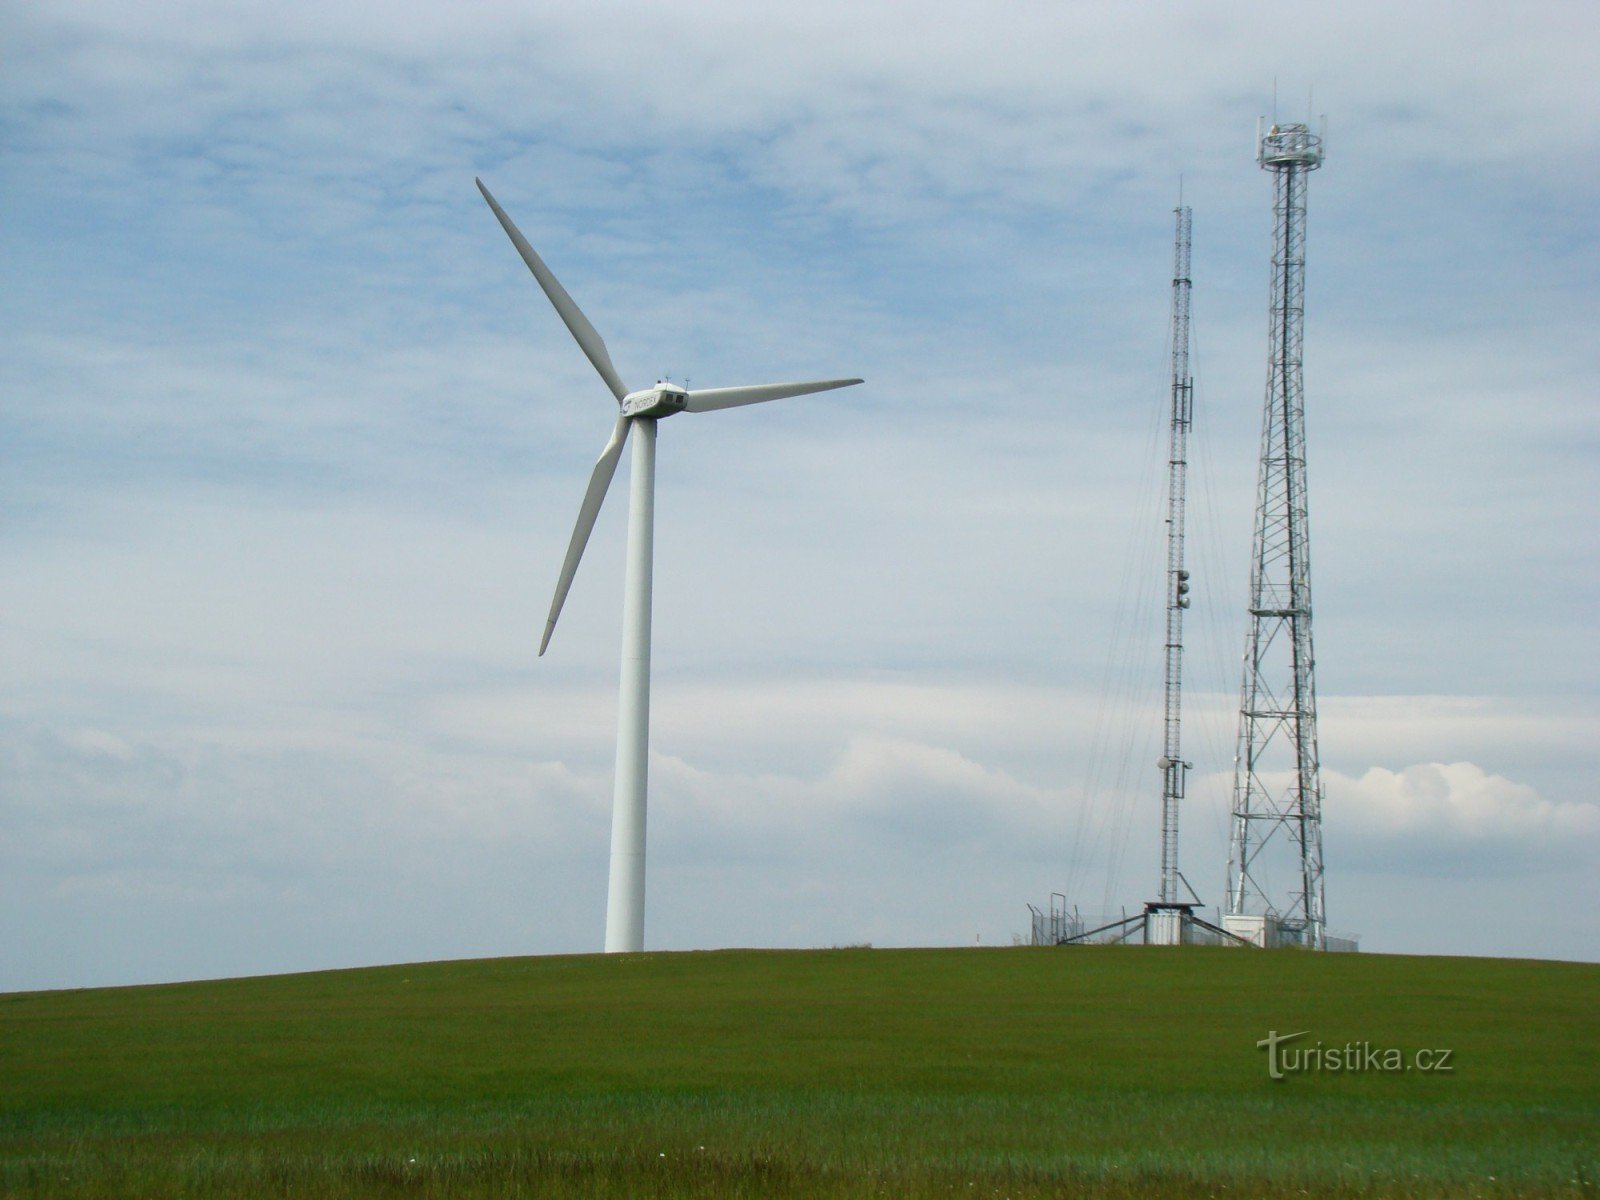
<point x="625" y="922"/>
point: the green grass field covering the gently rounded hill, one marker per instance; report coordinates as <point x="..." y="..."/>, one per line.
<point x="1022" y="1073"/>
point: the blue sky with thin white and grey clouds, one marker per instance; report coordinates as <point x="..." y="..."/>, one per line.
<point x="292" y="444"/>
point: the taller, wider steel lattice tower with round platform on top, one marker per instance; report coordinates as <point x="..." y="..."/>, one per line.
<point x="1274" y="874"/>
